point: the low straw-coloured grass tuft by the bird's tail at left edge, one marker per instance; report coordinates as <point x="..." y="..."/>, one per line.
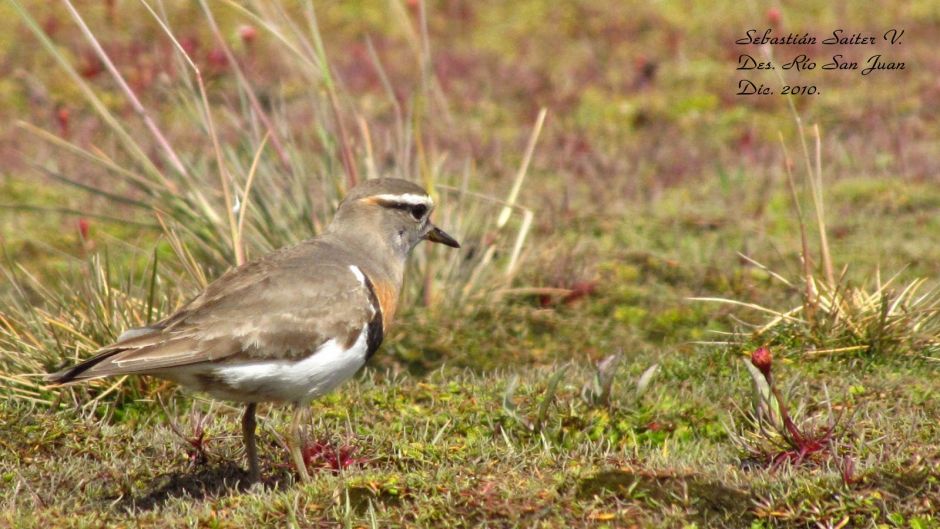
<point x="45" y="325"/>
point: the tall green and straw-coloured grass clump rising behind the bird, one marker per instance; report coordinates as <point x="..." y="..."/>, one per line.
<point x="245" y="180"/>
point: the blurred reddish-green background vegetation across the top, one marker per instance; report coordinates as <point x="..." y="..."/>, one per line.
<point x="640" y="99"/>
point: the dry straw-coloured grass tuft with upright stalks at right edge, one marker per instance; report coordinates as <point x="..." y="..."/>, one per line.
<point x="835" y="316"/>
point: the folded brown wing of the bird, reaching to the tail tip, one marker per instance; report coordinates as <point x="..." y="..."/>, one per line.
<point x="287" y="304"/>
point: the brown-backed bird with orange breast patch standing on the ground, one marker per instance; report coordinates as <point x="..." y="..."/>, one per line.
<point x="292" y="325"/>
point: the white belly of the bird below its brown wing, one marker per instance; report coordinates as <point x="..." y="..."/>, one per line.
<point x="284" y="380"/>
